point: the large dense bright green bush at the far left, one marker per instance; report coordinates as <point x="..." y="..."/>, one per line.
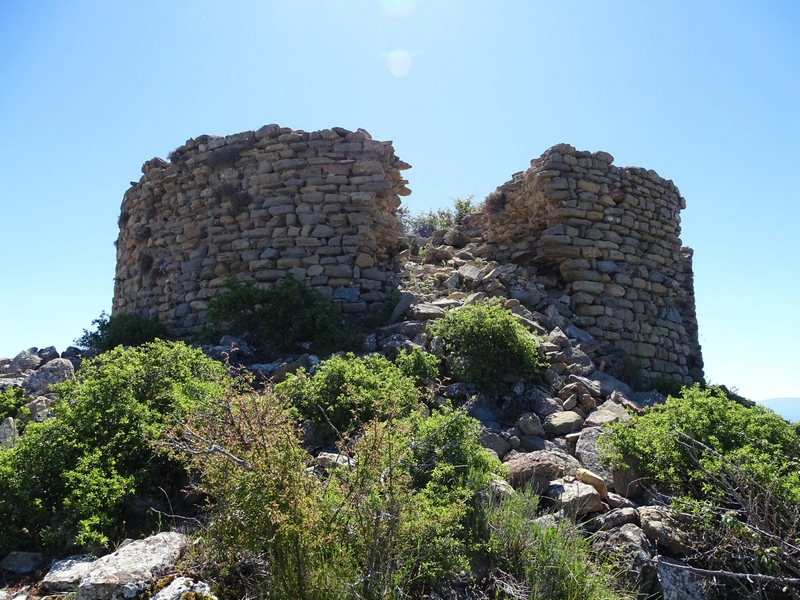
<point x="67" y="477"/>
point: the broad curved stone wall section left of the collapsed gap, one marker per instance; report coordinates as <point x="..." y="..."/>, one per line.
<point x="259" y="205"/>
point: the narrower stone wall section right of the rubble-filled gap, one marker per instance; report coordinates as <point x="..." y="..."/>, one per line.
<point x="608" y="237"/>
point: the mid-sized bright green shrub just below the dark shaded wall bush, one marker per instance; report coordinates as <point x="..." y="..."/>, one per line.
<point x="346" y="391"/>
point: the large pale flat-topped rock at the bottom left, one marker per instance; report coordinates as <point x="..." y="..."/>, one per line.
<point x="131" y="569"/>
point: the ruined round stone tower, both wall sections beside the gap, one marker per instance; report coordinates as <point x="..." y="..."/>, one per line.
<point x="602" y="241"/>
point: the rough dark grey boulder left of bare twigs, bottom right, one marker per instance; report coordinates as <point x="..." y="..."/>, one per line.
<point x="629" y="547"/>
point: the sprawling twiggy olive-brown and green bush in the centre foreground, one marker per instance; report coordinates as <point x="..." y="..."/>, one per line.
<point x="373" y="529"/>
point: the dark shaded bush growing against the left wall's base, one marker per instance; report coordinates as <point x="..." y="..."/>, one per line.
<point x="278" y="317"/>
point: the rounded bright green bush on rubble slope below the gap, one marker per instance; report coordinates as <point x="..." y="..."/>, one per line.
<point x="486" y="341"/>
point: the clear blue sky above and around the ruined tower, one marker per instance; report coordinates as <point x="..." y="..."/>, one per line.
<point x="705" y="93"/>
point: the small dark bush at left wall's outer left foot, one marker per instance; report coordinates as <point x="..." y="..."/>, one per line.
<point x="131" y="329"/>
